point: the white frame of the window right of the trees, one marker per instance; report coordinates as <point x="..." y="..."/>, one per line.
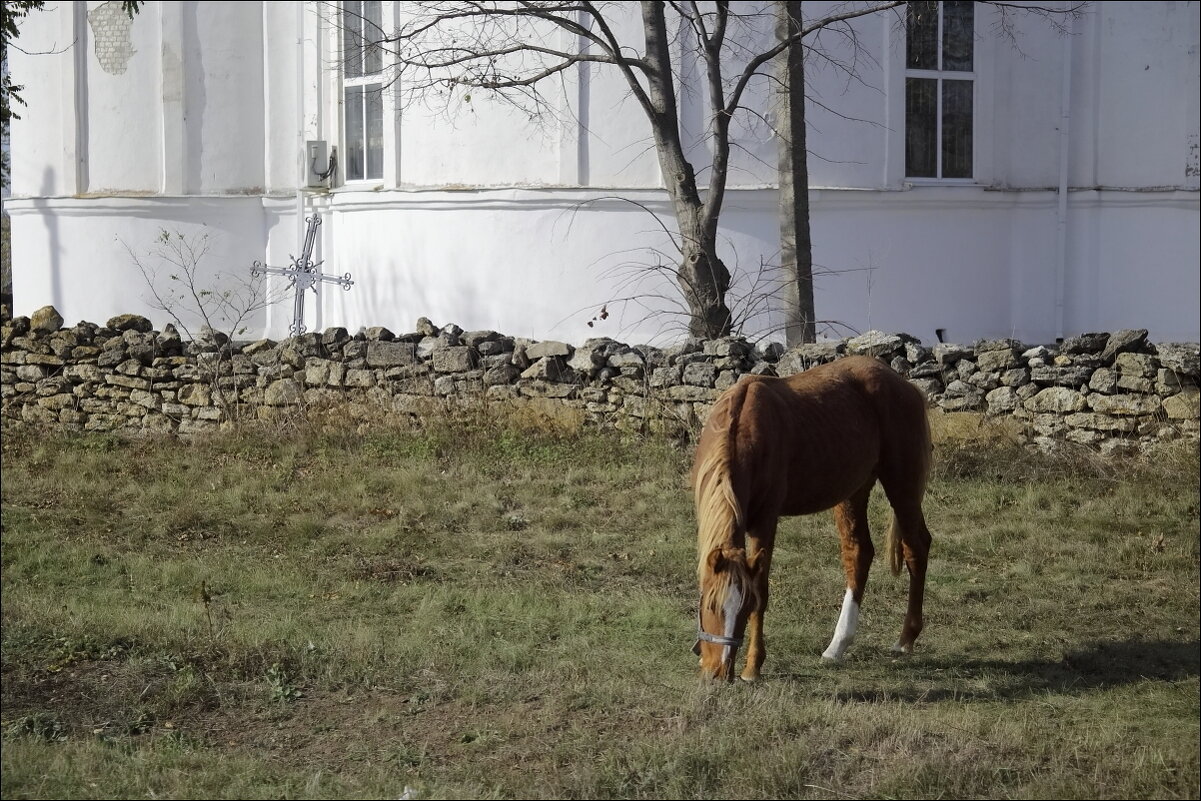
<point x="940" y="76"/>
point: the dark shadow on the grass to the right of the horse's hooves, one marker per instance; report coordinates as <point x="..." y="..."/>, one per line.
<point x="1102" y="665"/>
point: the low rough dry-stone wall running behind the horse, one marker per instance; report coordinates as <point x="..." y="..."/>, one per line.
<point x="1112" y="391"/>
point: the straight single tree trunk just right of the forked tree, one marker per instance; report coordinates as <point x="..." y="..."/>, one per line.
<point x="796" y="247"/>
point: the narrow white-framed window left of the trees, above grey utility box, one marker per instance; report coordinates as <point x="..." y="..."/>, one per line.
<point x="362" y="91"/>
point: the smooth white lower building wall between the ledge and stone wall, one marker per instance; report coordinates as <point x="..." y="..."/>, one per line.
<point x="976" y="265"/>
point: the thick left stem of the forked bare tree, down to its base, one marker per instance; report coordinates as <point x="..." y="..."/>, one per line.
<point x="703" y="278"/>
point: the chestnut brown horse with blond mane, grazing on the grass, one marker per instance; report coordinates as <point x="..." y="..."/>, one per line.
<point x="816" y="441"/>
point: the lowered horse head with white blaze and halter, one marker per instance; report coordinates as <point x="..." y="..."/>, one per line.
<point x="727" y="597"/>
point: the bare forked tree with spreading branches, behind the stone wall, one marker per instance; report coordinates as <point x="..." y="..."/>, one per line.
<point x="509" y="49"/>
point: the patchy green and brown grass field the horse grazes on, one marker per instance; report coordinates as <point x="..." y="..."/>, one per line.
<point x="474" y="612"/>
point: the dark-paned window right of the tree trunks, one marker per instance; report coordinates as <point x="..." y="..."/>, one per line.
<point x="940" y="89"/>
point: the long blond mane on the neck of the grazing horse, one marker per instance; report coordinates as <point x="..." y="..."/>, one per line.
<point x="720" y="517"/>
